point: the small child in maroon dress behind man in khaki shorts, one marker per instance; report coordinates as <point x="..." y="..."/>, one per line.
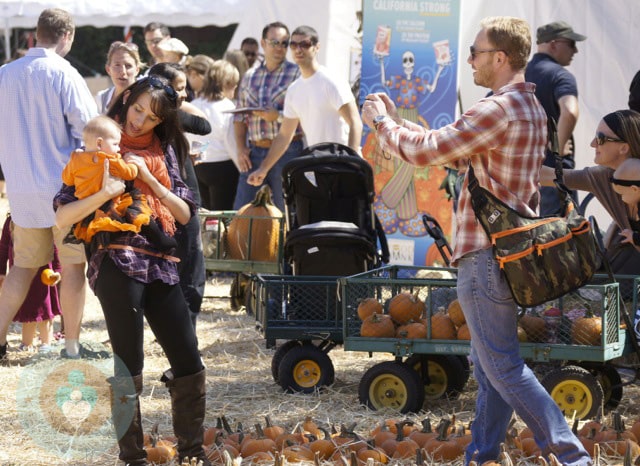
<point x="42" y="303"/>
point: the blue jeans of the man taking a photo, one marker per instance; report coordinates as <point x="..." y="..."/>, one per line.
<point x="505" y="383"/>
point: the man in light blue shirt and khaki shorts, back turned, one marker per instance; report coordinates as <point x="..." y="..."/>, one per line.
<point x="46" y="104"/>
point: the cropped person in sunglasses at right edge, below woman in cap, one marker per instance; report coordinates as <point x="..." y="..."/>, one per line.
<point x="626" y="182"/>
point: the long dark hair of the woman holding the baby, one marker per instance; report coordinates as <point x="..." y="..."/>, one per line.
<point x="163" y="104"/>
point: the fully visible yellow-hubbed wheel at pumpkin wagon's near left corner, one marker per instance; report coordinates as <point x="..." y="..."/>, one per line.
<point x="391" y="385"/>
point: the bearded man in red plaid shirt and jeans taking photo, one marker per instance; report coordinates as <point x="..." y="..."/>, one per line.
<point x="503" y="137"/>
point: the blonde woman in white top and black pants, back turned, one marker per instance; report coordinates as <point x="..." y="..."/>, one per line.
<point x="216" y="168"/>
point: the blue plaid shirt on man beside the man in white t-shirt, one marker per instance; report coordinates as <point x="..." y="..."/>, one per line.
<point x="263" y="88"/>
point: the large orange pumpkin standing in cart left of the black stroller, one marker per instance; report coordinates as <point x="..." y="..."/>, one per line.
<point x="254" y="232"/>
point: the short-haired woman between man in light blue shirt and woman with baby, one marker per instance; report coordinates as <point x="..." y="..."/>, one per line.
<point x="123" y="66"/>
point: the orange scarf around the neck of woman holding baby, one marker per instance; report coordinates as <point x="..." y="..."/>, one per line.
<point x="148" y="147"/>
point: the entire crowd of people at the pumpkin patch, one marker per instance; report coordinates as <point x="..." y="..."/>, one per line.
<point x="137" y="160"/>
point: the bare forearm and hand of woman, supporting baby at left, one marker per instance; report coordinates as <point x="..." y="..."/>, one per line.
<point x="68" y="214"/>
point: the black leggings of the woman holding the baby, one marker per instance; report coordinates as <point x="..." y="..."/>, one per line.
<point x="126" y="301"/>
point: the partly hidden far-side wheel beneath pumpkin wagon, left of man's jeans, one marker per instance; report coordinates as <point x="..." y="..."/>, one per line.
<point x="447" y="375"/>
